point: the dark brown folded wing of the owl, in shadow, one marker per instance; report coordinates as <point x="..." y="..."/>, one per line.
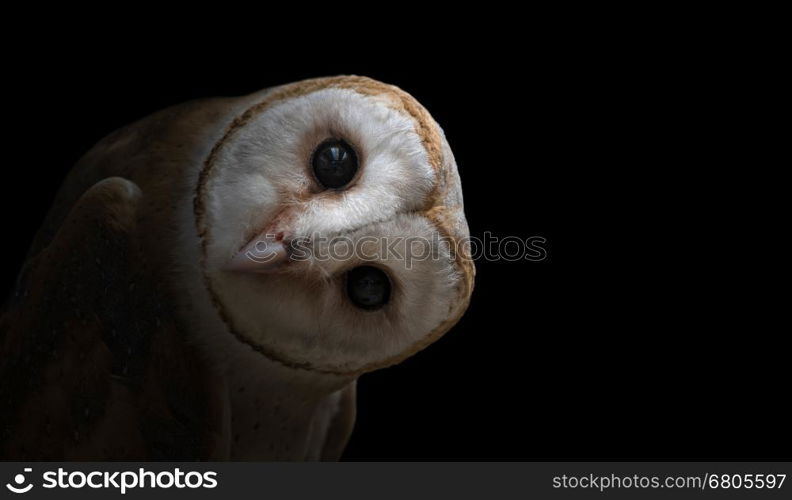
<point x="92" y="365"/>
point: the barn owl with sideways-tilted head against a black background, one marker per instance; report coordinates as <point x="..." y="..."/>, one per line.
<point x="161" y="315"/>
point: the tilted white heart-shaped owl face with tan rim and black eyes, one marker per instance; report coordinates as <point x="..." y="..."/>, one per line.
<point x="331" y="223"/>
